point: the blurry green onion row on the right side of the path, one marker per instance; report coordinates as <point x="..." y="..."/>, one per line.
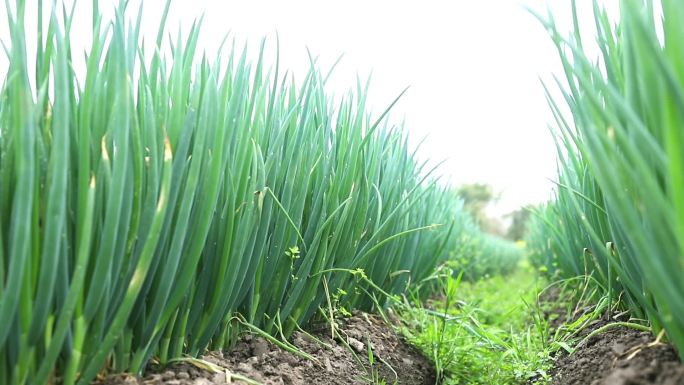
<point x="619" y="212"/>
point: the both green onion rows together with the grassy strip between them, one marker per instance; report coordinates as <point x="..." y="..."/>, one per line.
<point x="166" y="203"/>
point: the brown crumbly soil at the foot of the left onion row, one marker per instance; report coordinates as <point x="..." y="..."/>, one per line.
<point x="340" y="361"/>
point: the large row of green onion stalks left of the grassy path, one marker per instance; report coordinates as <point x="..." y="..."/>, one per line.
<point x="158" y="202"/>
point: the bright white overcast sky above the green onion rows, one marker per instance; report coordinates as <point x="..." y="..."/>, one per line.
<point x="473" y="67"/>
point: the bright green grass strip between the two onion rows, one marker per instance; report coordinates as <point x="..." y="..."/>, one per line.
<point x="487" y="331"/>
